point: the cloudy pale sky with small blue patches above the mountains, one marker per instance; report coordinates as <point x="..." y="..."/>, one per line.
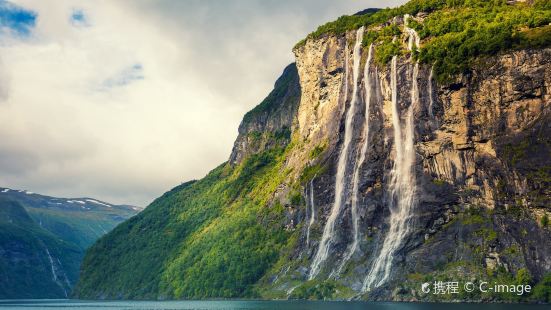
<point x="123" y="100"/>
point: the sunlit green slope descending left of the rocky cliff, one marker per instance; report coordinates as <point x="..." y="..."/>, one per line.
<point x="210" y="238"/>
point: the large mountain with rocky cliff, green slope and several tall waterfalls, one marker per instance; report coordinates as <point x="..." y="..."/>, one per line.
<point x="405" y="146"/>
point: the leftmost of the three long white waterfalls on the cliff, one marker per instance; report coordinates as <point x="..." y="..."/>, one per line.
<point x="329" y="229"/>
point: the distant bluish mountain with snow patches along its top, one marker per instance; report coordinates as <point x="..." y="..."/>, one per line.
<point x="43" y="240"/>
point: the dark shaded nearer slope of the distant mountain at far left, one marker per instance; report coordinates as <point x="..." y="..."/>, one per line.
<point x="24" y="264"/>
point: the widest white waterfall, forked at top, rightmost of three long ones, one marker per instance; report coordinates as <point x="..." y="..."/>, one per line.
<point x="402" y="177"/>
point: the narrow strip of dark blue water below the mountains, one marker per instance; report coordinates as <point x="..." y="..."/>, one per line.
<point x="263" y="305"/>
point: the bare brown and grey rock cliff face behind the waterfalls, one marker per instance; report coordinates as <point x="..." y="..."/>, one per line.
<point x="480" y="170"/>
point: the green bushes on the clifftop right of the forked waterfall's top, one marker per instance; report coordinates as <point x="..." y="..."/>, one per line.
<point x="456" y="38"/>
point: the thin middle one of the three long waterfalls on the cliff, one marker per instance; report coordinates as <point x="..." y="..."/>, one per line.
<point x="359" y="163"/>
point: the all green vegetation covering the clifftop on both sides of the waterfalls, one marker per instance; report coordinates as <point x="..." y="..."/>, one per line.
<point x="455" y="34"/>
